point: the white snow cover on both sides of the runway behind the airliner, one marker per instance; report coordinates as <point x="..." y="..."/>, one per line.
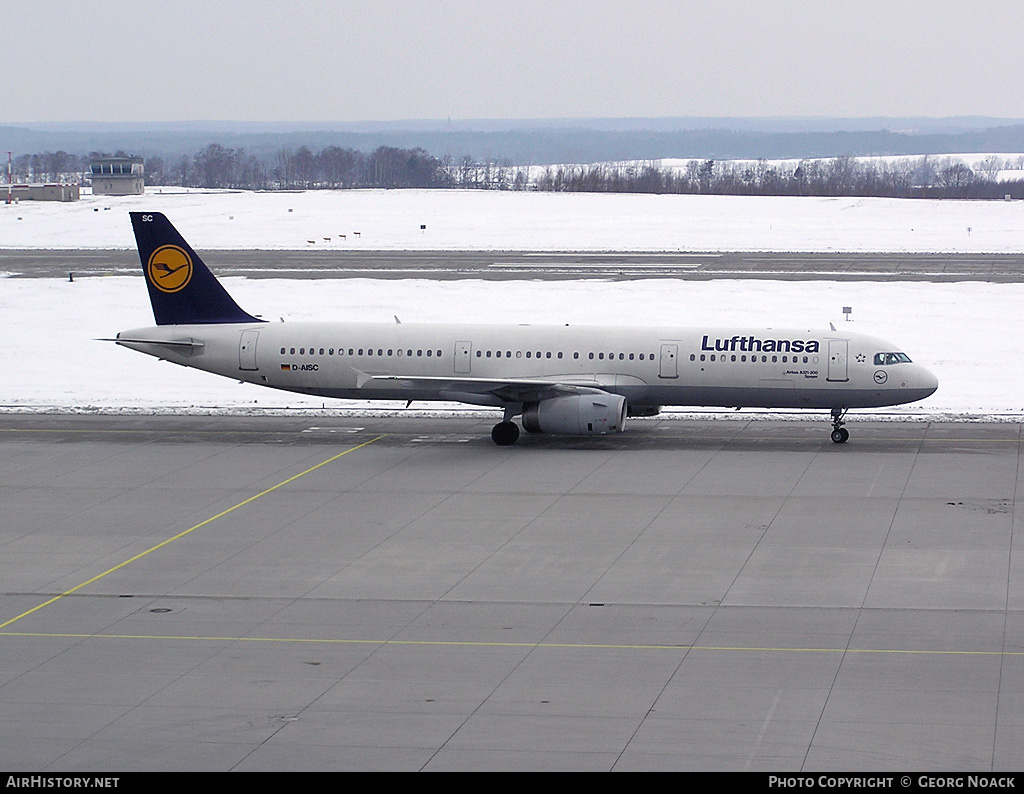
<point x="968" y="333"/>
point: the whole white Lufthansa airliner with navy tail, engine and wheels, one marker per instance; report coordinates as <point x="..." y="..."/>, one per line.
<point x="567" y="380"/>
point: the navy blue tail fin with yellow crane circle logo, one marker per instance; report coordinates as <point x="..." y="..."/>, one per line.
<point x="182" y="288"/>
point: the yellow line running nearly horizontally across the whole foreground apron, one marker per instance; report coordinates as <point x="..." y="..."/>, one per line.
<point x="540" y="646"/>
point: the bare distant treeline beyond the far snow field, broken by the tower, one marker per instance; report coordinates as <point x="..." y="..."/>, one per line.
<point x="336" y="169"/>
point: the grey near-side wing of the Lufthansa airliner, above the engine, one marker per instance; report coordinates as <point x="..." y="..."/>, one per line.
<point x="507" y="390"/>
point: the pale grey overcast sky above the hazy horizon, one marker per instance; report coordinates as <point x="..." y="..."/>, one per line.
<point x="347" y="61"/>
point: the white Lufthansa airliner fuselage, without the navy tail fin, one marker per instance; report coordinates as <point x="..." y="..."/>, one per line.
<point x="787" y="368"/>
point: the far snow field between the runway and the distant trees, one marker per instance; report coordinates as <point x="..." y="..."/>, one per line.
<point x="505" y="221"/>
